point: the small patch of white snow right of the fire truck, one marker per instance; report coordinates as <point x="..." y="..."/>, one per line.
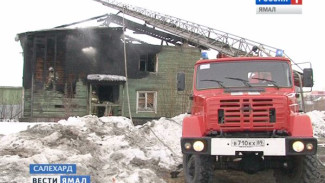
<point x="318" y="120"/>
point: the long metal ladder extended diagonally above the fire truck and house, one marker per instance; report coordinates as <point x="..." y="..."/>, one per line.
<point x="204" y="36"/>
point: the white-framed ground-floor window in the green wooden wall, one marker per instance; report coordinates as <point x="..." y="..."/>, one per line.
<point x="146" y="101"/>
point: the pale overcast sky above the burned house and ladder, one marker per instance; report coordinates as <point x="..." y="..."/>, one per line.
<point x="301" y="36"/>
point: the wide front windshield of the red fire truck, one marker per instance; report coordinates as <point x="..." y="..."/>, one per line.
<point x="243" y="74"/>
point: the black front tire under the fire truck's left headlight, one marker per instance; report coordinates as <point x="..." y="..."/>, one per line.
<point x="198" y="168"/>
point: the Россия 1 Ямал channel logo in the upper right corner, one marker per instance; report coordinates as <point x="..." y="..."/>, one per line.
<point x="278" y="6"/>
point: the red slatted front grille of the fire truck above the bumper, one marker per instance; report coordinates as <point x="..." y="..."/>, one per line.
<point x="246" y="113"/>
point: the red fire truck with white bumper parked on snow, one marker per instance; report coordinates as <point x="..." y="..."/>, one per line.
<point x="245" y="116"/>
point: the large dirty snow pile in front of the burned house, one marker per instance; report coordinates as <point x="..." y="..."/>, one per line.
<point x="109" y="149"/>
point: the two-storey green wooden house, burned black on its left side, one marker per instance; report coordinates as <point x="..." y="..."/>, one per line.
<point x="81" y="71"/>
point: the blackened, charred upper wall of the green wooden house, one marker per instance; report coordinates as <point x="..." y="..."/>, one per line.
<point x="75" y="53"/>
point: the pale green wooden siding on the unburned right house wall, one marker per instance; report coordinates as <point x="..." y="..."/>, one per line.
<point x="170" y="102"/>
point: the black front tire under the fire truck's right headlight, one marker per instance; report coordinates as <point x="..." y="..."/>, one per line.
<point x="304" y="170"/>
